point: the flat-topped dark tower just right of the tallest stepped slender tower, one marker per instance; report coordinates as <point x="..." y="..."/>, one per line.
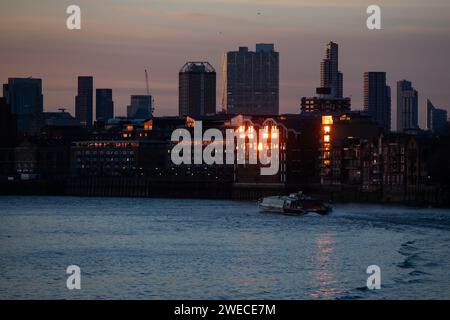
<point x="377" y="98"/>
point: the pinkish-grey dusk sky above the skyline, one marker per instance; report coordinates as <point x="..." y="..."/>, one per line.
<point x="119" y="39"/>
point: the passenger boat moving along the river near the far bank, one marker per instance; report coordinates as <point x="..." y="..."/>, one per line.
<point x="296" y="204"/>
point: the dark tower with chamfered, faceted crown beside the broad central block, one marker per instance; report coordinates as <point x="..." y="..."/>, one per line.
<point x="197" y="89"/>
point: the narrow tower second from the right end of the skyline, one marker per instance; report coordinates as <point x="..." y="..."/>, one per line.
<point x="407" y="106"/>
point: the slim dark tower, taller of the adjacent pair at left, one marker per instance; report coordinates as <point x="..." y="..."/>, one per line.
<point x="84" y="100"/>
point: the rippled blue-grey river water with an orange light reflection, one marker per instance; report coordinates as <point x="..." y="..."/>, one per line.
<point x="201" y="249"/>
